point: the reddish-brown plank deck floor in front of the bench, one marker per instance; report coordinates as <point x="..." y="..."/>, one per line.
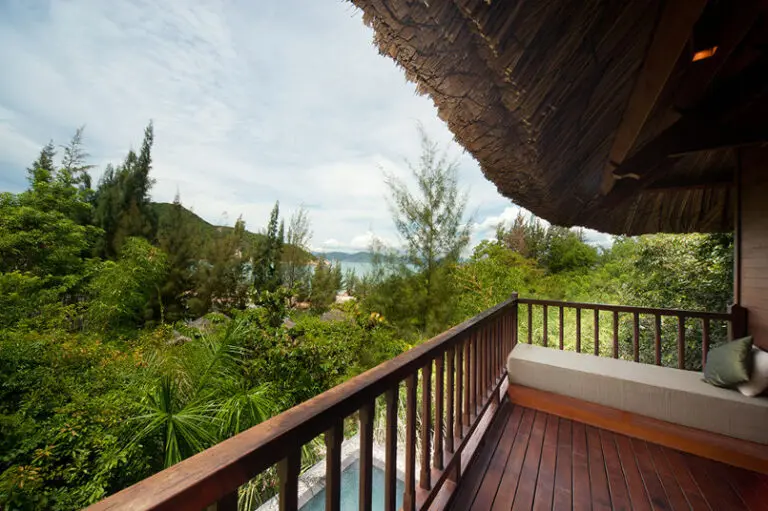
<point x="533" y="460"/>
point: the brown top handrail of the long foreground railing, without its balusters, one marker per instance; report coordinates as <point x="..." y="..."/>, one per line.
<point x="219" y="470"/>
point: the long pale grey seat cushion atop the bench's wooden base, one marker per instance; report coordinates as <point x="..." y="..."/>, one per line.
<point x="672" y="395"/>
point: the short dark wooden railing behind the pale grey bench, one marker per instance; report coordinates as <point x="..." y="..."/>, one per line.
<point x="735" y="319"/>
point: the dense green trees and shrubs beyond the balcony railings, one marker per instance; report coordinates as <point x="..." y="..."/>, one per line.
<point x="133" y="334"/>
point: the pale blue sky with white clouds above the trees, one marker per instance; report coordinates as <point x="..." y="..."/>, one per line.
<point x="252" y="102"/>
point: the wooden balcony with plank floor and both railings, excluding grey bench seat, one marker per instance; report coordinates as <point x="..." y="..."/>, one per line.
<point x="472" y="440"/>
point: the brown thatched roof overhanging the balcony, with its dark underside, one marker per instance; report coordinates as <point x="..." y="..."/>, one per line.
<point x="558" y="99"/>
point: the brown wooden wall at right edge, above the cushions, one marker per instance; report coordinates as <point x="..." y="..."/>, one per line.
<point x="754" y="241"/>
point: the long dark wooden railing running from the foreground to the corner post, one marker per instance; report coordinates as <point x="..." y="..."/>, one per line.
<point x="462" y="374"/>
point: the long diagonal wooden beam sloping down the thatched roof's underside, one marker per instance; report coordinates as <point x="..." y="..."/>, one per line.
<point x="673" y="31"/>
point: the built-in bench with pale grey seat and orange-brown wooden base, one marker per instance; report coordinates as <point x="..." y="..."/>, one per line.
<point x="669" y="406"/>
